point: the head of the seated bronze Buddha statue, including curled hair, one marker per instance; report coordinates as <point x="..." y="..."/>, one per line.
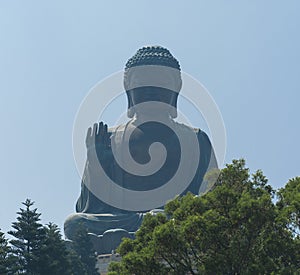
<point x="152" y="74"/>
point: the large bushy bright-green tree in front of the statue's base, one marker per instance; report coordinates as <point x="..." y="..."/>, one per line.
<point x="233" y="229"/>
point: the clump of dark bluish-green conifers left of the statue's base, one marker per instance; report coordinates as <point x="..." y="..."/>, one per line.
<point x="40" y="250"/>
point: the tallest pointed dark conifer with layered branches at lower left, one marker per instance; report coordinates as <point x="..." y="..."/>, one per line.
<point x="29" y="235"/>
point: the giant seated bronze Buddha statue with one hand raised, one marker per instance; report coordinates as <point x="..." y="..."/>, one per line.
<point x="147" y="125"/>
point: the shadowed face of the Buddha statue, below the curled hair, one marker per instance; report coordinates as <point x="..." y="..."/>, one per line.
<point x="153" y="83"/>
